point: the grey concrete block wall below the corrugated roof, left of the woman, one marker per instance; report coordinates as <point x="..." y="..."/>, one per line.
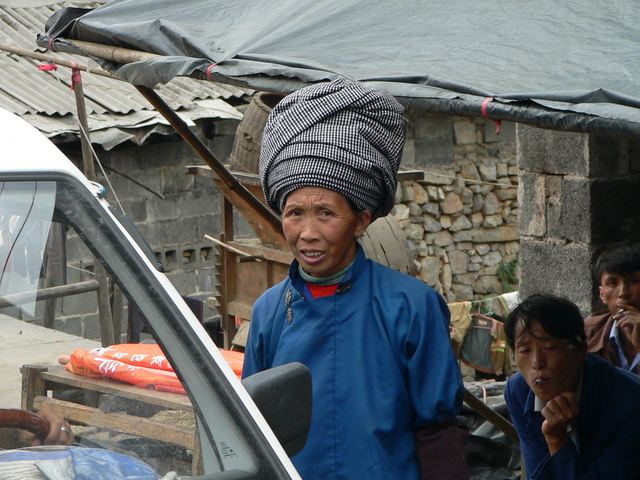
<point x="173" y="213"/>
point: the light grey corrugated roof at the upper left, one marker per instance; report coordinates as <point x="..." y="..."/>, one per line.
<point x="30" y="92"/>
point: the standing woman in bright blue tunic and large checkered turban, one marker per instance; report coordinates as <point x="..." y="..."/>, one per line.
<point x="386" y="384"/>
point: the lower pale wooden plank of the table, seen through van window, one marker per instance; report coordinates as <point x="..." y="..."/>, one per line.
<point x="121" y="422"/>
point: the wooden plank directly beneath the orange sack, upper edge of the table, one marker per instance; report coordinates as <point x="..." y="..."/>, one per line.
<point x="59" y="375"/>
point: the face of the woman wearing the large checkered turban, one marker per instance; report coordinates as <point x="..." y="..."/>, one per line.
<point x="322" y="229"/>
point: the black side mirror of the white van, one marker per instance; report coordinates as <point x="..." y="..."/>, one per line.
<point x="284" y="396"/>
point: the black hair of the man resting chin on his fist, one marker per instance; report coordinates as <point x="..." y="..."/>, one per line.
<point x="558" y="317"/>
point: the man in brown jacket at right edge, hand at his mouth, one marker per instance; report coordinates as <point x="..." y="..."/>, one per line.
<point x="615" y="336"/>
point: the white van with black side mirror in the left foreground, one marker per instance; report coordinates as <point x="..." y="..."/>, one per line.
<point x="40" y="188"/>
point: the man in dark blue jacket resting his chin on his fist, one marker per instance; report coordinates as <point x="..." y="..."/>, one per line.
<point x="577" y="416"/>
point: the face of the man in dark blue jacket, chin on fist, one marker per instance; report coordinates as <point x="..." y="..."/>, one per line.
<point x="549" y="365"/>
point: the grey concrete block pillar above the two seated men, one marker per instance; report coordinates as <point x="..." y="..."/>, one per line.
<point x="579" y="196"/>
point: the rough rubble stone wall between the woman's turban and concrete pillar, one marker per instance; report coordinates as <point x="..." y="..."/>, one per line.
<point x="461" y="221"/>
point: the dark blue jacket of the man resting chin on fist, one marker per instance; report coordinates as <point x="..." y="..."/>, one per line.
<point x="608" y="427"/>
